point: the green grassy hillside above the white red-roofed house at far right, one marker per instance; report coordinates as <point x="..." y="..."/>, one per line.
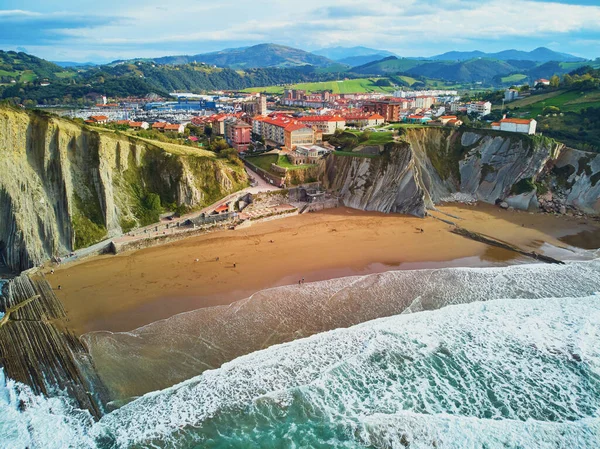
<point x="566" y="101"/>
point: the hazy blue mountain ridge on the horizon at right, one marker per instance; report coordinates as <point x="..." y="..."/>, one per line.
<point x="540" y="54"/>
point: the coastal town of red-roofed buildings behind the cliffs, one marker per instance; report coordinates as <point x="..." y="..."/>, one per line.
<point x="299" y="125"/>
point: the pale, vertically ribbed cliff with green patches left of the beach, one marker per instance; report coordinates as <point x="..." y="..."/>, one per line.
<point x="63" y="185"/>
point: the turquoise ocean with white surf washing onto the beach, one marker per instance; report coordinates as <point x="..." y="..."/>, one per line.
<point x="494" y="372"/>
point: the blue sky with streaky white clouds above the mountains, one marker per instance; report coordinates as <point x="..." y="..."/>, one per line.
<point x="102" y="31"/>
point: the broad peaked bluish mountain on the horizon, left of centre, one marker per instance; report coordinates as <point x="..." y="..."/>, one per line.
<point x="262" y="55"/>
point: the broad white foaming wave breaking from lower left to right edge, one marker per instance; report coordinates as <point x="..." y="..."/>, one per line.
<point x="501" y="360"/>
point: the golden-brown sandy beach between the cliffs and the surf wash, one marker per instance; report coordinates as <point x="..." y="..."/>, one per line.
<point x="124" y="292"/>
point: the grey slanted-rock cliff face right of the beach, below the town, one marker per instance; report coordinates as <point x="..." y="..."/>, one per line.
<point x="428" y="165"/>
